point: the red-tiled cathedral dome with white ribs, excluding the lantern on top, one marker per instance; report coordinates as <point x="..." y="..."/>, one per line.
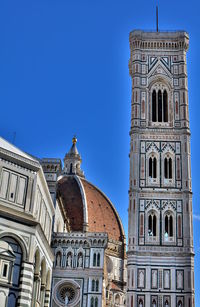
<point x="86" y="207"/>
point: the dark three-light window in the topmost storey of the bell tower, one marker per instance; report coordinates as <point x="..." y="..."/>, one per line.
<point x="159" y="106"/>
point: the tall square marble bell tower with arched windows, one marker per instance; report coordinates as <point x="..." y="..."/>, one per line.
<point x="160" y="231"/>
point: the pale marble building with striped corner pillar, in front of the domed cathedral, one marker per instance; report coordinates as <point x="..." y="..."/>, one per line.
<point x="26" y="214"/>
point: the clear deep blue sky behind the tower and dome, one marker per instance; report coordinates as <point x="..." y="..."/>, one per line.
<point x="64" y="71"/>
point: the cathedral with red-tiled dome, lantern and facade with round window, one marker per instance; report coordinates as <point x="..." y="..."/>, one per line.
<point x="88" y="241"/>
